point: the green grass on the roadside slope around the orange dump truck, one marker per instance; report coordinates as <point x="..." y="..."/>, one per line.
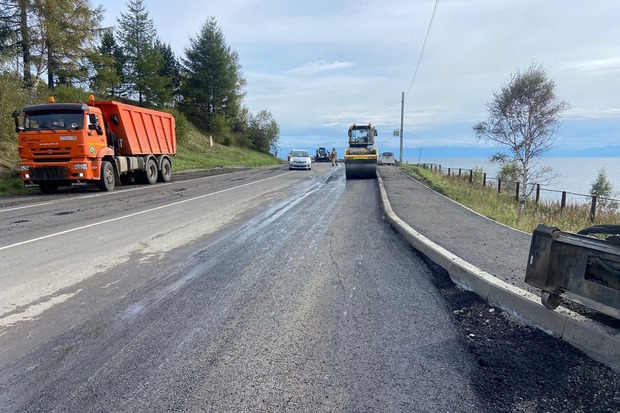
<point x="195" y="153"/>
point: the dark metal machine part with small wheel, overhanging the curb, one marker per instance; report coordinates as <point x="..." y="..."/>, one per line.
<point x="578" y="266"/>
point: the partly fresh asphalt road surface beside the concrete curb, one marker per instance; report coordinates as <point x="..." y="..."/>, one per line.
<point x="258" y="290"/>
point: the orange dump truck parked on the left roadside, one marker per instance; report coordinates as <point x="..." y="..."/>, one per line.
<point x="102" y="142"/>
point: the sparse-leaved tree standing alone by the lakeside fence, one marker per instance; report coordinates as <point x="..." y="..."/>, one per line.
<point x="524" y="117"/>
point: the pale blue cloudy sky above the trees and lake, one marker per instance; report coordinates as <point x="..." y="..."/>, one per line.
<point x="321" y="65"/>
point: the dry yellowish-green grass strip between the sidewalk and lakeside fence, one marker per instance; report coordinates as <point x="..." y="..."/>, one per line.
<point x="503" y="208"/>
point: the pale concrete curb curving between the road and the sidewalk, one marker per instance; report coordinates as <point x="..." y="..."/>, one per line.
<point x="598" y="341"/>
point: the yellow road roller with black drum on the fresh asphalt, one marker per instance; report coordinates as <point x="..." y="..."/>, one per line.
<point x="360" y="158"/>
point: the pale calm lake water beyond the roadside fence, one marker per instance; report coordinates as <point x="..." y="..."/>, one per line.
<point x="575" y="175"/>
